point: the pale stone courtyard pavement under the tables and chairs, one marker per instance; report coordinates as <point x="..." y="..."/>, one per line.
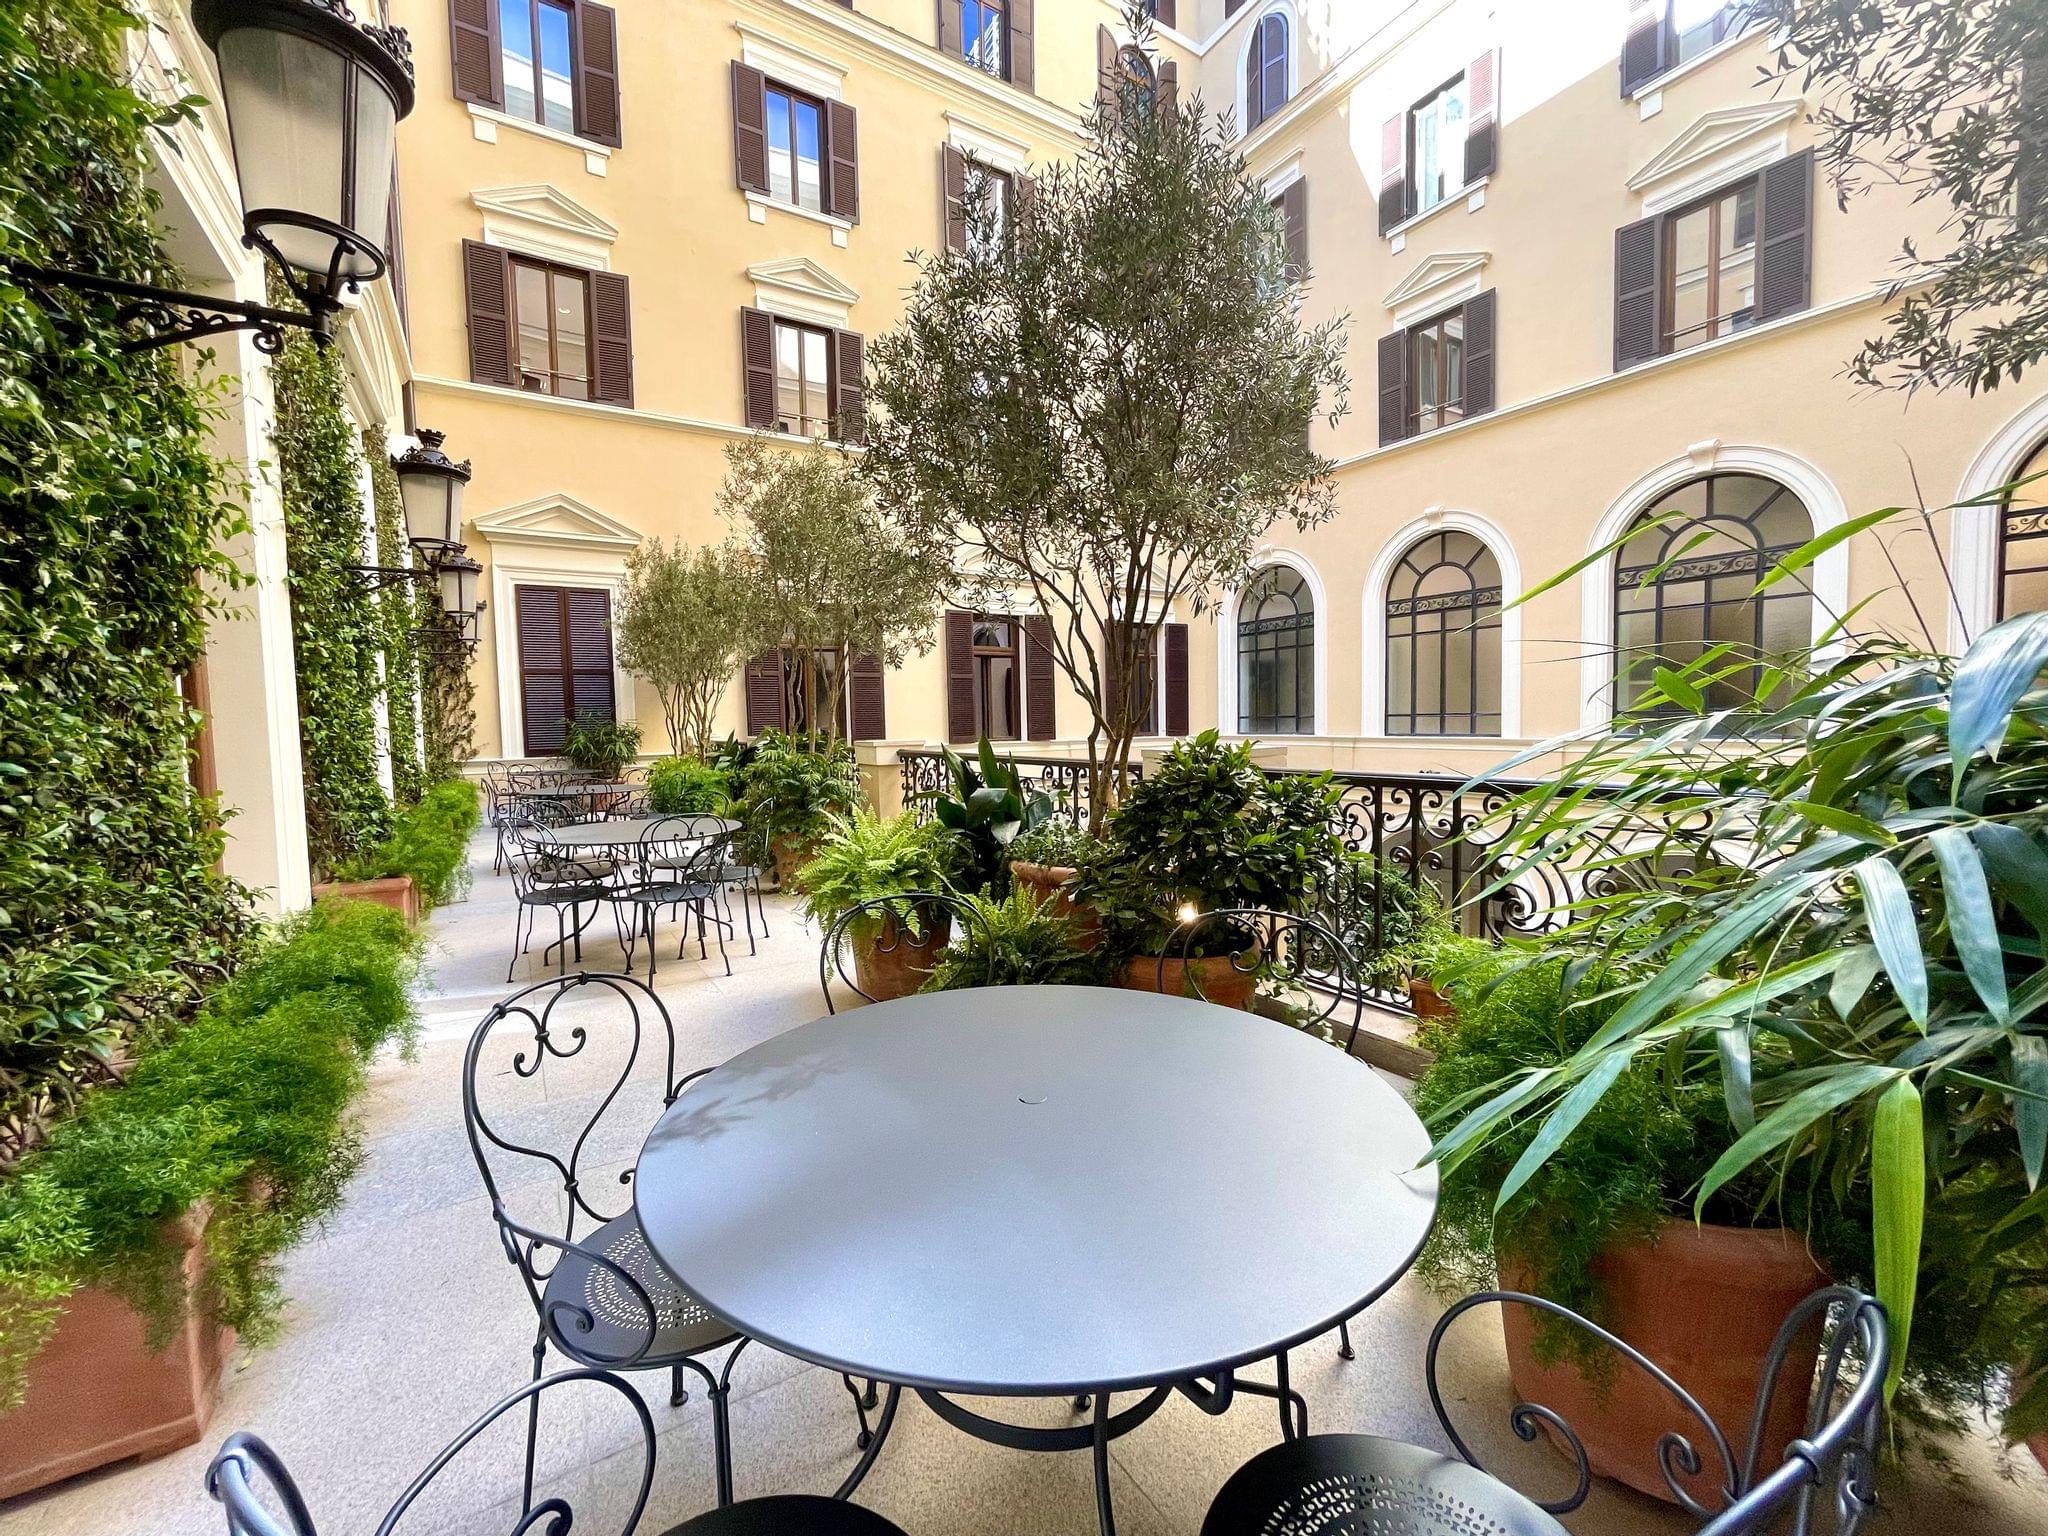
<point x="407" y="1322"/>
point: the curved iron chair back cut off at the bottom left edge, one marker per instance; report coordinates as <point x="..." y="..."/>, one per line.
<point x="261" y="1498"/>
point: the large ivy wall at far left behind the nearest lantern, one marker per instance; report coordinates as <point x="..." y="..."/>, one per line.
<point x="112" y="531"/>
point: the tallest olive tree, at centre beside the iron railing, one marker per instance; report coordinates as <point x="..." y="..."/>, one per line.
<point x="1107" y="407"/>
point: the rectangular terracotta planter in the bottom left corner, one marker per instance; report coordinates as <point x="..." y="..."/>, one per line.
<point x="97" y="1394"/>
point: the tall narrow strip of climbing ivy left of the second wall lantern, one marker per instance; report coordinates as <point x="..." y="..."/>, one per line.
<point x="337" y="624"/>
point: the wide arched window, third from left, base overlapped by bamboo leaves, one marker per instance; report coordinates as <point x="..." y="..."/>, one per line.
<point x="1684" y="583"/>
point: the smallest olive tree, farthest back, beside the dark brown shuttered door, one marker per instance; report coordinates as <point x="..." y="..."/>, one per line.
<point x="683" y="626"/>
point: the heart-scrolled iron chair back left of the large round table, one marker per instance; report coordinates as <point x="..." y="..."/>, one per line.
<point x="632" y="1043"/>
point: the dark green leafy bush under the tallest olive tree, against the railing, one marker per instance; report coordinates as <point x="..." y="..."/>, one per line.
<point x="1209" y="830"/>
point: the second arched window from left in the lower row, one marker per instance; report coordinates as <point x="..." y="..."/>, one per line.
<point x="1445" y="640"/>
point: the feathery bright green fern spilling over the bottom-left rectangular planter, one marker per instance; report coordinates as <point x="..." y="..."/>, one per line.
<point x="241" y="1117"/>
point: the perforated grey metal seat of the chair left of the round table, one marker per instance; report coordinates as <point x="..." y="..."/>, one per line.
<point x="617" y="1322"/>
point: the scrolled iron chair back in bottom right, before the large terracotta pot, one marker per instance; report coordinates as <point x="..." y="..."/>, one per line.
<point x="1828" y="1469"/>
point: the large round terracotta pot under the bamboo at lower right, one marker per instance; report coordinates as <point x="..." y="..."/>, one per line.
<point x="1705" y="1304"/>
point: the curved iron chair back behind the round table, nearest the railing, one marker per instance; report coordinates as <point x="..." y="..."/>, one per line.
<point x="1299" y="957"/>
